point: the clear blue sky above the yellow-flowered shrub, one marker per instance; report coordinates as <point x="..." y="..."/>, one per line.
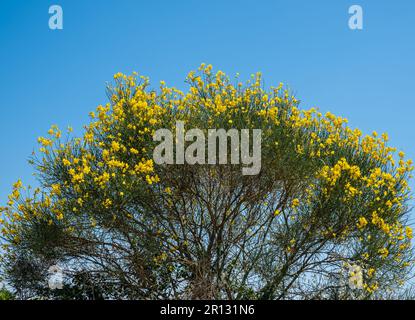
<point x="57" y="77"/>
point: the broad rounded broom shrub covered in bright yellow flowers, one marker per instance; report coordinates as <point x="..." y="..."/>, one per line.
<point x="326" y="217"/>
